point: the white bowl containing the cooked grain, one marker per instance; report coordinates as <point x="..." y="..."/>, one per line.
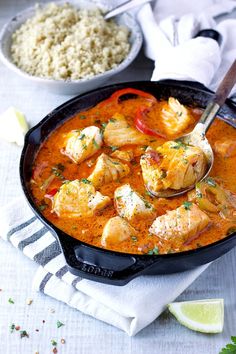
<point x="70" y="86"/>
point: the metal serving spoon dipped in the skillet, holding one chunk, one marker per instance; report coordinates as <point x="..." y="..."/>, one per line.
<point x="197" y="137"/>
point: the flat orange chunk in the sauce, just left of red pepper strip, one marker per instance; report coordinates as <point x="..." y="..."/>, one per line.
<point x="119" y="133"/>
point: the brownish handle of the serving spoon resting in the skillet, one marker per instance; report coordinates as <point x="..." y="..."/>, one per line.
<point x="219" y="98"/>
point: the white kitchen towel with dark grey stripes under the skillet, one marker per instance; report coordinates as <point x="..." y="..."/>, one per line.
<point x="108" y="303"/>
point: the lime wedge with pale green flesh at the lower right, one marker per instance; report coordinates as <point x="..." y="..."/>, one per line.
<point x="203" y="315"/>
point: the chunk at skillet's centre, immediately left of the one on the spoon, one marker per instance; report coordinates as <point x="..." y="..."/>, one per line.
<point x="107" y="170"/>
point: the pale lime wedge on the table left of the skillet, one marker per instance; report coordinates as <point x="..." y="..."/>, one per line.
<point x="13" y="126"/>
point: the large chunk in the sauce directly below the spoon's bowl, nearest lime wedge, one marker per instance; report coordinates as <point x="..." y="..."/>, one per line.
<point x="183" y="223"/>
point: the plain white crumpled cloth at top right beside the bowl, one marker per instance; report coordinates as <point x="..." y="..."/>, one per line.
<point x="171" y="44"/>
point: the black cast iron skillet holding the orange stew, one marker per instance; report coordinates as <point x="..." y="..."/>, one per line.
<point x="108" y="266"/>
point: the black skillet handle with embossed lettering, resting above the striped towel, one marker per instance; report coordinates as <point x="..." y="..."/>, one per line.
<point x="102" y="265"/>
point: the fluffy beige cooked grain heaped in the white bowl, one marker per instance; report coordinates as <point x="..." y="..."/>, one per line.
<point x="63" y="42"/>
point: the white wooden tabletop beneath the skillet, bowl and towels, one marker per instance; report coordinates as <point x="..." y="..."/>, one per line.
<point x="84" y="334"/>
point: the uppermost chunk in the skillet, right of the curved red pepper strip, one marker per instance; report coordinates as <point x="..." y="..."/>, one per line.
<point x="175" y="117"/>
